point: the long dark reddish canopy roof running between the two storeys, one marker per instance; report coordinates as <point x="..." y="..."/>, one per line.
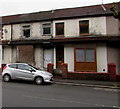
<point x="66" y="40"/>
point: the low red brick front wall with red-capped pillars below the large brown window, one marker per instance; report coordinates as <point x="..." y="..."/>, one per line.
<point x="110" y="76"/>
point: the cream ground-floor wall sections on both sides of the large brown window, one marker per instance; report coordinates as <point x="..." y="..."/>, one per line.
<point x="101" y="55"/>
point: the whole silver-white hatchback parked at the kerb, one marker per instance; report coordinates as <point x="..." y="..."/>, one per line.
<point x="25" y="71"/>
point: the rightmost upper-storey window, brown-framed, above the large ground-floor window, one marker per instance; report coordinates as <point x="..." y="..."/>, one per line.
<point x="84" y="27"/>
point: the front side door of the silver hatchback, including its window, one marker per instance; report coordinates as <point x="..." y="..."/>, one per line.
<point x="24" y="72"/>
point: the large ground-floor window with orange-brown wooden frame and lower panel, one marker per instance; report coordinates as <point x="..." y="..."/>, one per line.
<point x="85" y="57"/>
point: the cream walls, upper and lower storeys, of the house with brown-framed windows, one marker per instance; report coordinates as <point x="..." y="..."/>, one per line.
<point x="97" y="26"/>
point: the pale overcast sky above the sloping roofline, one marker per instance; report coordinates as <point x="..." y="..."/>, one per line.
<point x="10" y="7"/>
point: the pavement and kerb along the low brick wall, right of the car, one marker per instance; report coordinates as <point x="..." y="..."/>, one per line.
<point x="86" y="83"/>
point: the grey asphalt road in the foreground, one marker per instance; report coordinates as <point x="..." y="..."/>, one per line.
<point x="25" y="94"/>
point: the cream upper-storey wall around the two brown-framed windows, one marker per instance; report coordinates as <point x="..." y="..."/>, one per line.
<point x="97" y="26"/>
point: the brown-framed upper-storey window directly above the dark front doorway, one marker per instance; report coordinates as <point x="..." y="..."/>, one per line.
<point x="59" y="29"/>
